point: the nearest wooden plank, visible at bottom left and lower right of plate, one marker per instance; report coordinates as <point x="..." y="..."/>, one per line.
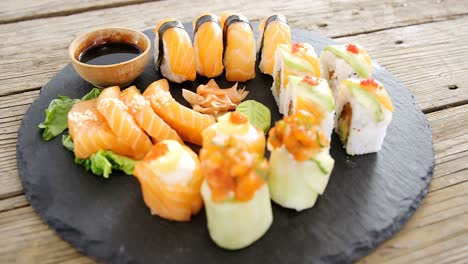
<point x="438" y="229"/>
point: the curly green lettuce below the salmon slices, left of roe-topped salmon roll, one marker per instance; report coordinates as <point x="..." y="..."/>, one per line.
<point x="102" y="162"/>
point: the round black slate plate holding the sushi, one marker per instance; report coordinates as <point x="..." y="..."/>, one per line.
<point x="367" y="200"/>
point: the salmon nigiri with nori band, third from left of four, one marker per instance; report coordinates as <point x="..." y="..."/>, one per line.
<point x="239" y="47"/>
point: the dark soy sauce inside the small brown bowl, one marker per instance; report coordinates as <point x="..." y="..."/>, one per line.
<point x="109" y="53"/>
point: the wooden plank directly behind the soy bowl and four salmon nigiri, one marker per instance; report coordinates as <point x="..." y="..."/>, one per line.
<point x="31" y="52"/>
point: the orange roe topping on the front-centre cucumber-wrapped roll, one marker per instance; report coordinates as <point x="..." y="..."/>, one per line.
<point x="232" y="172"/>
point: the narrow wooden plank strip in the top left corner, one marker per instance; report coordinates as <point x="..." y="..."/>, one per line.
<point x="18" y="10"/>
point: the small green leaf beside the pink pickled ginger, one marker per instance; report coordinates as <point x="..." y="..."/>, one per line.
<point x="259" y="115"/>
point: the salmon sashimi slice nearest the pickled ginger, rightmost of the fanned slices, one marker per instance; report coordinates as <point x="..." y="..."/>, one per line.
<point x="188" y="123"/>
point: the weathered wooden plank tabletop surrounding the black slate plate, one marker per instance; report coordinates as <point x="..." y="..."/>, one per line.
<point x="422" y="42"/>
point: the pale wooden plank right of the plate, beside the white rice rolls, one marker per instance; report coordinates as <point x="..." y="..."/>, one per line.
<point x="427" y="62"/>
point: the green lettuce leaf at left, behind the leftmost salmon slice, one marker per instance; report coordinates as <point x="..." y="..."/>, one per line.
<point x="56" y="120"/>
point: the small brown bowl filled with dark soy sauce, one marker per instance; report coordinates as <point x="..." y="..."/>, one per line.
<point x="110" y="56"/>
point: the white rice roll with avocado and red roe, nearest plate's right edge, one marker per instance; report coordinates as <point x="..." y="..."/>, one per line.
<point x="363" y="112"/>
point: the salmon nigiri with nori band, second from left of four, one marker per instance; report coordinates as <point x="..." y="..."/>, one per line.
<point x="208" y="45"/>
